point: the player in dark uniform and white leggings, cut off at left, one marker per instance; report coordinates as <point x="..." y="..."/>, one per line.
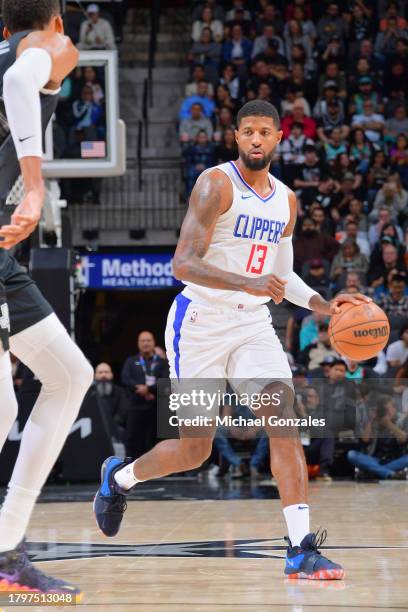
<point x="34" y="59"/>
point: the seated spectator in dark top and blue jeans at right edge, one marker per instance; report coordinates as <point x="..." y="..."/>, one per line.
<point x="387" y="455"/>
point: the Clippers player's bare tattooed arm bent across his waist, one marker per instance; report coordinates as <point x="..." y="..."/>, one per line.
<point x="211" y="197"/>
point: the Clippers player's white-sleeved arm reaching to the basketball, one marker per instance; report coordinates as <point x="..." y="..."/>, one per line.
<point x="296" y="290"/>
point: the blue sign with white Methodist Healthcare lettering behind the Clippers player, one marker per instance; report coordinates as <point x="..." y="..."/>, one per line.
<point x="124" y="271"/>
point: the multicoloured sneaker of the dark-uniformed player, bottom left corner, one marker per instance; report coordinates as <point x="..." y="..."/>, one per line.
<point x="17" y="573"/>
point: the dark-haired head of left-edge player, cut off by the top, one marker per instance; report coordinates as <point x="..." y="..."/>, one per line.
<point x="19" y="15"/>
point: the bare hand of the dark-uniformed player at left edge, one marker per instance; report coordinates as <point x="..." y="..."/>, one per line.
<point x="24" y="220"/>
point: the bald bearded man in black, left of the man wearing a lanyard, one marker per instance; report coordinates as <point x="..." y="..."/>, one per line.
<point x="113" y="401"/>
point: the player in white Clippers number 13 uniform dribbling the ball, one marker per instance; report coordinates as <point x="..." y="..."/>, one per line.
<point x="235" y="254"/>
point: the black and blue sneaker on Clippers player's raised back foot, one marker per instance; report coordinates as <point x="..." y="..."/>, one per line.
<point x="110" y="499"/>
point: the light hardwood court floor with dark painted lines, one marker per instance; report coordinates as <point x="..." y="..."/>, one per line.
<point x="226" y="555"/>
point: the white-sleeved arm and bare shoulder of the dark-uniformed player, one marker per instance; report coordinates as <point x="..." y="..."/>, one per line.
<point x="43" y="60"/>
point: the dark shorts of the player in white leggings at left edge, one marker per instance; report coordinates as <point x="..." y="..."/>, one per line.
<point x="25" y="302"/>
